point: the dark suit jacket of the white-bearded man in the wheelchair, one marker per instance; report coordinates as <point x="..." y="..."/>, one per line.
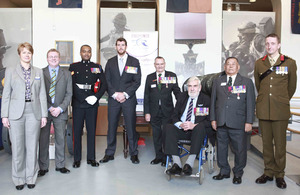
<point x="202" y="101"/>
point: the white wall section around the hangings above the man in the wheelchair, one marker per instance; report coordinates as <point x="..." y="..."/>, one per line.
<point x="210" y="52"/>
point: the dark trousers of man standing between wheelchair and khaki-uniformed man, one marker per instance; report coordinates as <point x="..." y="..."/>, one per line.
<point x="237" y="137"/>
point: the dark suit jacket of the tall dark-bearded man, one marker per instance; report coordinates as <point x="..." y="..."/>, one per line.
<point x="128" y="82"/>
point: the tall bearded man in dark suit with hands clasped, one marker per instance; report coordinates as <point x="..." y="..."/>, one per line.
<point x="123" y="74"/>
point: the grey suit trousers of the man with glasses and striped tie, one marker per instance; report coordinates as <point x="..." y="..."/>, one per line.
<point x="60" y="133"/>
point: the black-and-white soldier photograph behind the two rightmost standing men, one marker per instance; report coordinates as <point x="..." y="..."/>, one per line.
<point x="244" y="37"/>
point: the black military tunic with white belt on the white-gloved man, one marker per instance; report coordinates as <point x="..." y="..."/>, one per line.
<point x="83" y="72"/>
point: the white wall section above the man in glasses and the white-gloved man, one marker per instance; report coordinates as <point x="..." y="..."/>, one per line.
<point x="50" y="24"/>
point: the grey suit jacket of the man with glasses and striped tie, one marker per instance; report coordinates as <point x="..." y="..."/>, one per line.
<point x="63" y="90"/>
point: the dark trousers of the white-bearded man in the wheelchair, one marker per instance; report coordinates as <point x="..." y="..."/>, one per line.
<point x="173" y="134"/>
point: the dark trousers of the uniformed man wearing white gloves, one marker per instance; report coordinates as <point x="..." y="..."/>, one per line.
<point x="89" y="115"/>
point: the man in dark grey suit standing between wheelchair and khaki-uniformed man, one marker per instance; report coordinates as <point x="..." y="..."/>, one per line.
<point x="232" y="115"/>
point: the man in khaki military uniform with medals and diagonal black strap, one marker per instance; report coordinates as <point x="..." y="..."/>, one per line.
<point x="275" y="87"/>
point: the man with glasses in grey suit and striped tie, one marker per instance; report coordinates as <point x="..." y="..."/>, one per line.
<point x="58" y="83"/>
